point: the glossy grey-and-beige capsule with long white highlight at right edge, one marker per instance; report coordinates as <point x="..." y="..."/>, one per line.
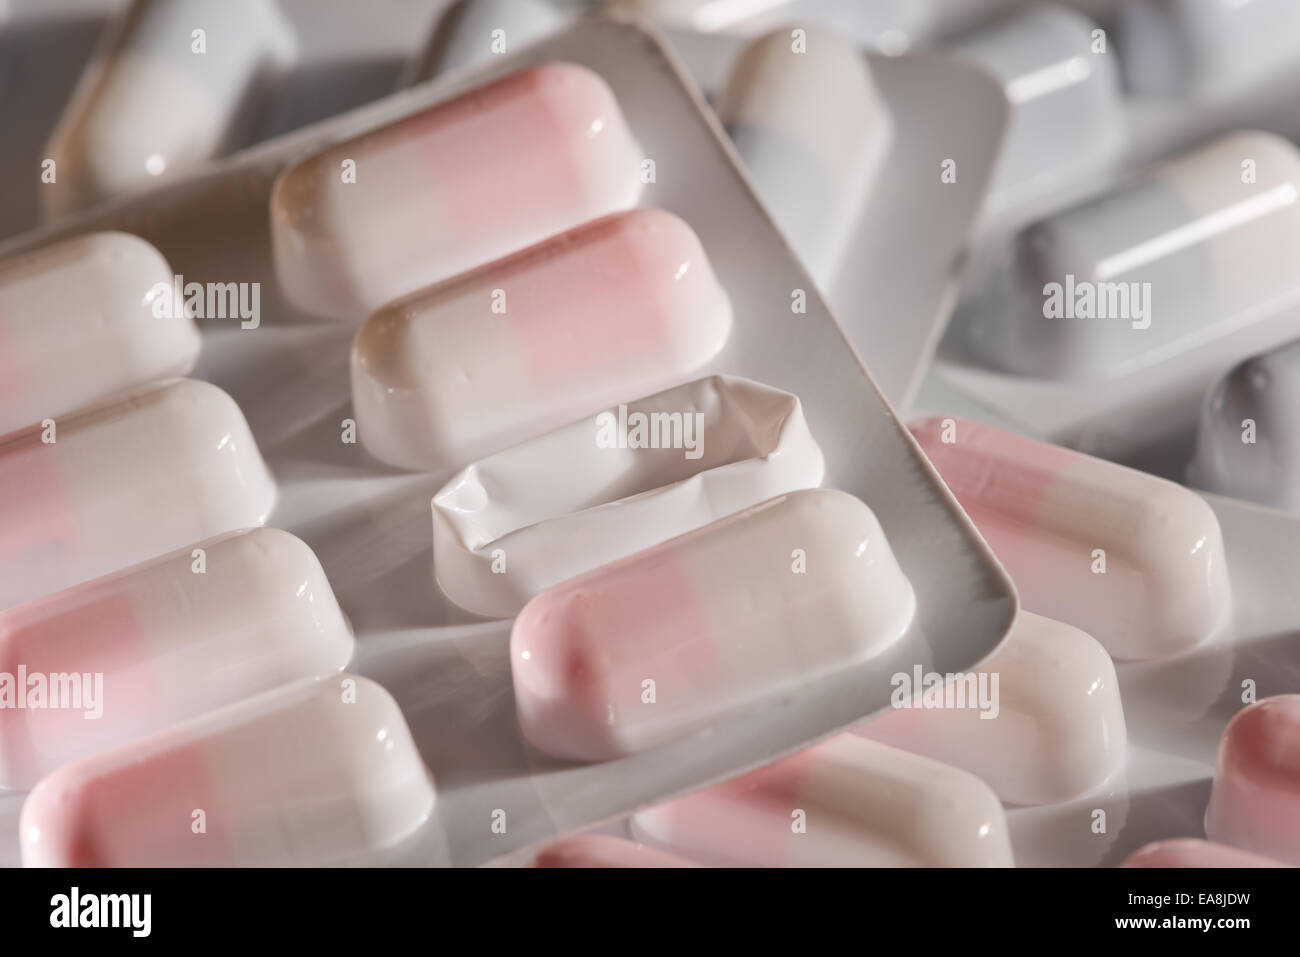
<point x="1185" y="256"/>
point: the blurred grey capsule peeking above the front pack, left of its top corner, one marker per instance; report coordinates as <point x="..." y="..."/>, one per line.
<point x="473" y="32"/>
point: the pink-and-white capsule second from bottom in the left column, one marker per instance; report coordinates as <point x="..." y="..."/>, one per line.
<point x="166" y="642"/>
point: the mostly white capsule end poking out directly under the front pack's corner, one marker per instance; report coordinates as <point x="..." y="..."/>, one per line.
<point x="1041" y="722"/>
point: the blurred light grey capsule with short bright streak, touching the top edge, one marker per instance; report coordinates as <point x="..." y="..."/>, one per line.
<point x="1063" y="85"/>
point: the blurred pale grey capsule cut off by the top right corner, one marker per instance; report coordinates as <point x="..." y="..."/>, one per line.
<point x="1193" y="47"/>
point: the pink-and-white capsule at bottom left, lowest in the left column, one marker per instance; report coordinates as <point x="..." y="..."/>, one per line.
<point x="314" y="773"/>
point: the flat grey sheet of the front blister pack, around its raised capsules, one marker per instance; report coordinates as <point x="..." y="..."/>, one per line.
<point x="371" y="525"/>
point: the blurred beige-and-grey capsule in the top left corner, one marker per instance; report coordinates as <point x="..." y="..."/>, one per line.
<point x="172" y="89"/>
